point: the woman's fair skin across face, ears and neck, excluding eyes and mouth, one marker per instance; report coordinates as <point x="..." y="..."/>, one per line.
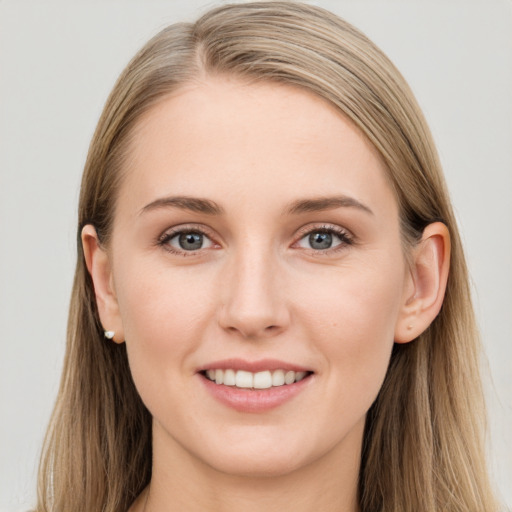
<point x="258" y="289"/>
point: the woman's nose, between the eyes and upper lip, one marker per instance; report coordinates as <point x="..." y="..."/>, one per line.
<point x="254" y="304"/>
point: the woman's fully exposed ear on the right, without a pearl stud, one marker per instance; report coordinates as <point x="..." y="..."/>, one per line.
<point x="425" y="283"/>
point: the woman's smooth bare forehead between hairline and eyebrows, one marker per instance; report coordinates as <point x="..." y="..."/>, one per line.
<point x="228" y="140"/>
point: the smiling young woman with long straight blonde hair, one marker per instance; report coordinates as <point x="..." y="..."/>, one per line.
<point x="270" y="307"/>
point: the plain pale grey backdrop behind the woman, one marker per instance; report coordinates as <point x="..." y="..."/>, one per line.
<point x="58" y="62"/>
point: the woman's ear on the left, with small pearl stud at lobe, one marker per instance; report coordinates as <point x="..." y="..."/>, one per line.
<point x="98" y="265"/>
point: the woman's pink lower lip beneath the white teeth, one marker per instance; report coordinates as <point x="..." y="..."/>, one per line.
<point x="254" y="400"/>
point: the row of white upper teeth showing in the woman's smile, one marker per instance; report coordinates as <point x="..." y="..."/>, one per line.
<point x="259" y="380"/>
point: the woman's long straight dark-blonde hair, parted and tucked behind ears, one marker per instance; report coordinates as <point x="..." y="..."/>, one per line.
<point x="423" y="442"/>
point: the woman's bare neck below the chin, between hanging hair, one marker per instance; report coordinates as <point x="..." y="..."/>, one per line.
<point x="182" y="482"/>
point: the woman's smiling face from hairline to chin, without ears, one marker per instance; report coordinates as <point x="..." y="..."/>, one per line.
<point x="259" y="273"/>
